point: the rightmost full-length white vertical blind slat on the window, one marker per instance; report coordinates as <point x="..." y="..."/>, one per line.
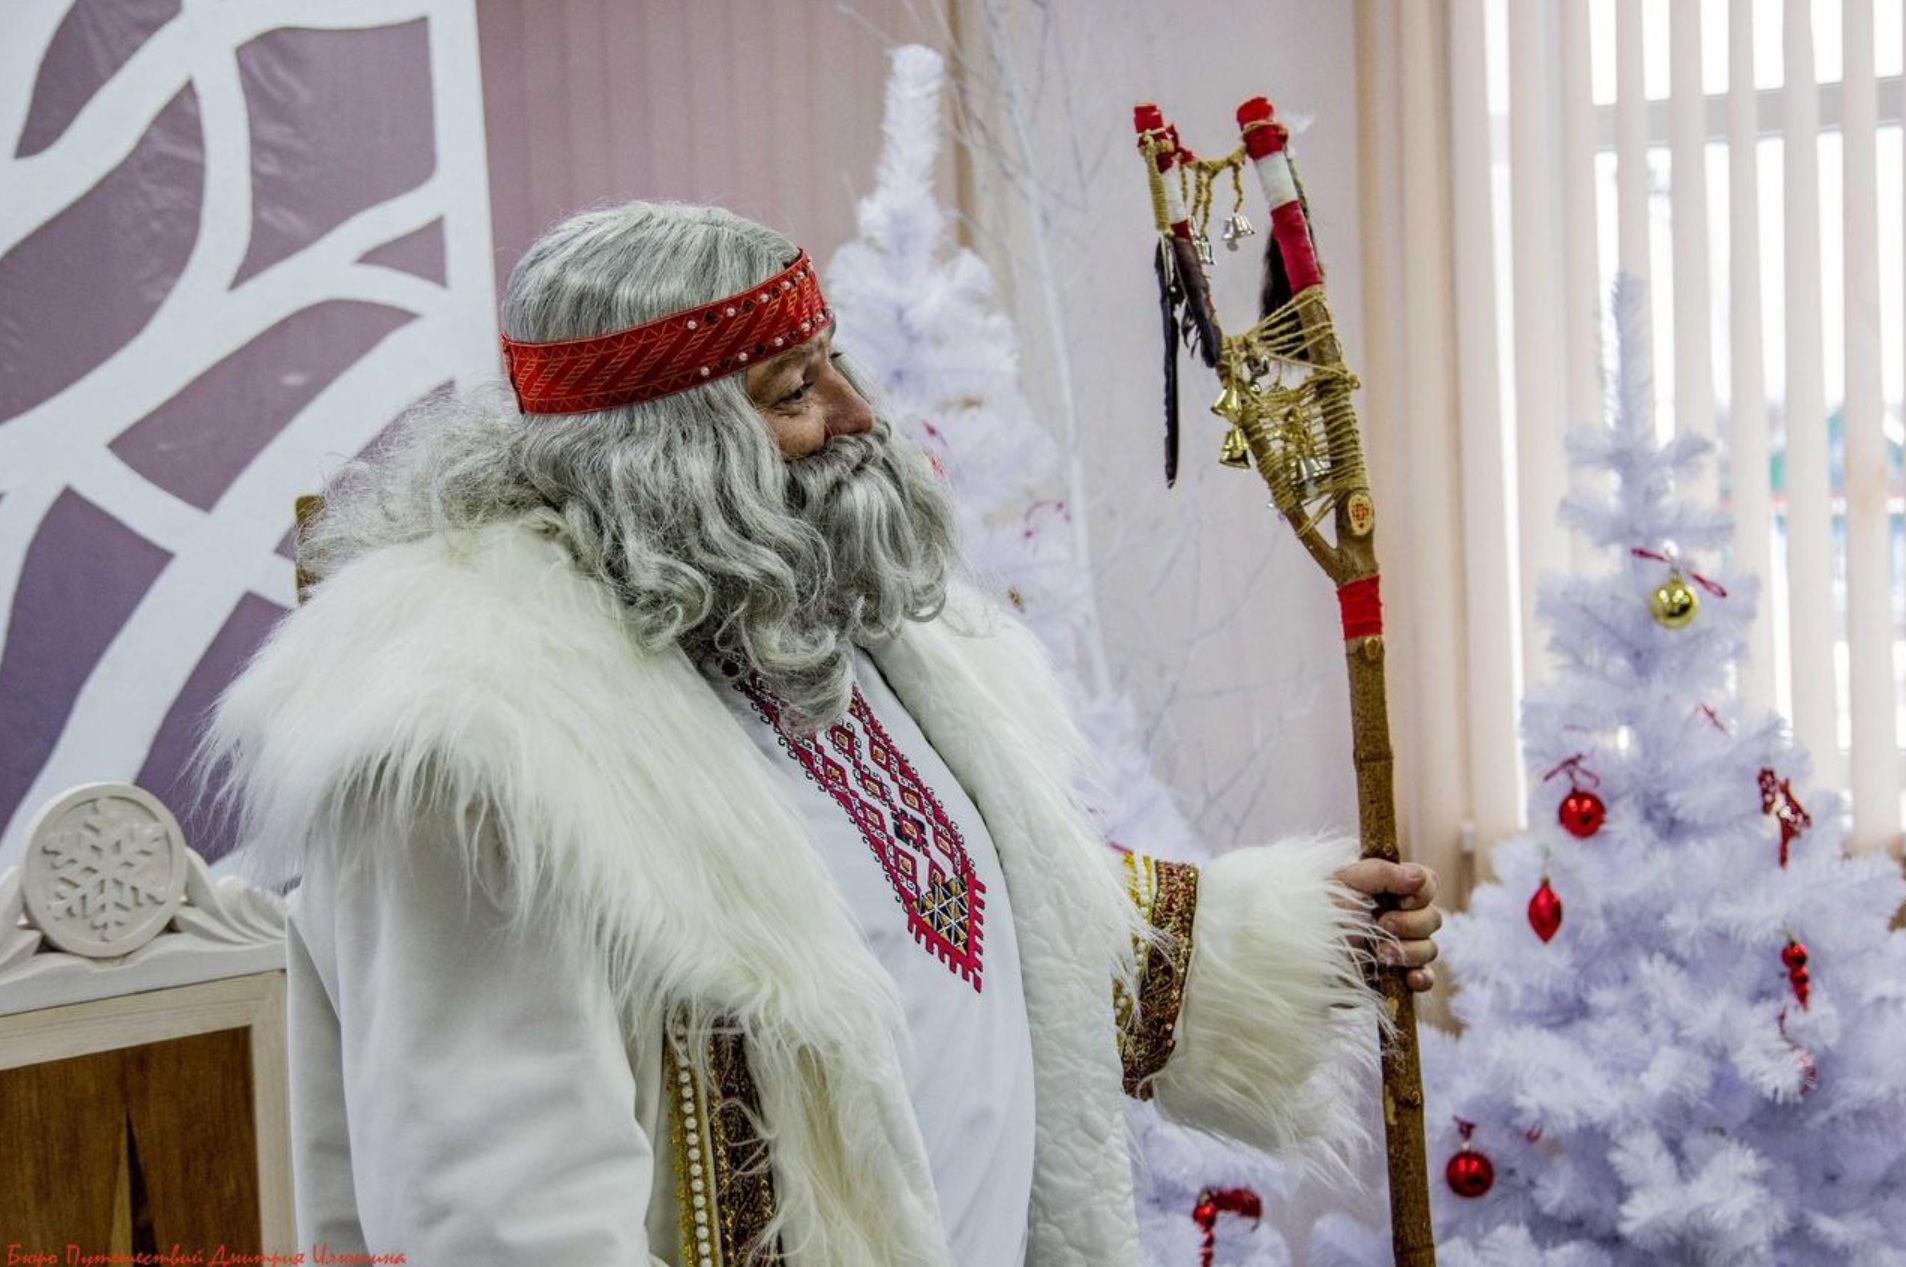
<point x="1875" y="765"/>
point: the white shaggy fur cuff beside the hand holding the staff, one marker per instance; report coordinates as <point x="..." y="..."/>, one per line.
<point x="1278" y="1030"/>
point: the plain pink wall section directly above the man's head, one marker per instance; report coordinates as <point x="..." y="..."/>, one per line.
<point x="767" y="110"/>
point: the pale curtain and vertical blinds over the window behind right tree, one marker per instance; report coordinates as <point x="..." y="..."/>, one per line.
<point x="1745" y="159"/>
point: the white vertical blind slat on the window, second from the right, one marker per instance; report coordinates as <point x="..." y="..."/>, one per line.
<point x="1810" y="508"/>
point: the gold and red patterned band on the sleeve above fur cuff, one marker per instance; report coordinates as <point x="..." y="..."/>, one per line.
<point x="1166" y="896"/>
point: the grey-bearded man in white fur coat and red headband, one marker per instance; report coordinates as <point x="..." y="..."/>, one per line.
<point x="693" y="868"/>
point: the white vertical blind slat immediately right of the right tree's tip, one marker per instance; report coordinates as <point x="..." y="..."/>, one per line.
<point x="1688" y="155"/>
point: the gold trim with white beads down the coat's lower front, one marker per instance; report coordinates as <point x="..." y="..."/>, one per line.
<point x="723" y="1182"/>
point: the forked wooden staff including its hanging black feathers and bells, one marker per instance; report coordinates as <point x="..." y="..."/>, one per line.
<point x="1286" y="399"/>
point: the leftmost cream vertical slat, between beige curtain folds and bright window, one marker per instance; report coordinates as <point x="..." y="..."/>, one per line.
<point x="1490" y="561"/>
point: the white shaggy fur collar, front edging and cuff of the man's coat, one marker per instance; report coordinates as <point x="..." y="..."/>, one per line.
<point x="628" y="811"/>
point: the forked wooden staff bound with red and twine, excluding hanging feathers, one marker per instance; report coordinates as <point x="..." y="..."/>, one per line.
<point x="1288" y="399"/>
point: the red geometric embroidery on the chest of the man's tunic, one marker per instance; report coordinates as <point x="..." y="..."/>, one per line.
<point x="902" y="822"/>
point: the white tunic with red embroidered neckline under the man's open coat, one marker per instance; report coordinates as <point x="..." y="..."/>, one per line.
<point x="923" y="885"/>
